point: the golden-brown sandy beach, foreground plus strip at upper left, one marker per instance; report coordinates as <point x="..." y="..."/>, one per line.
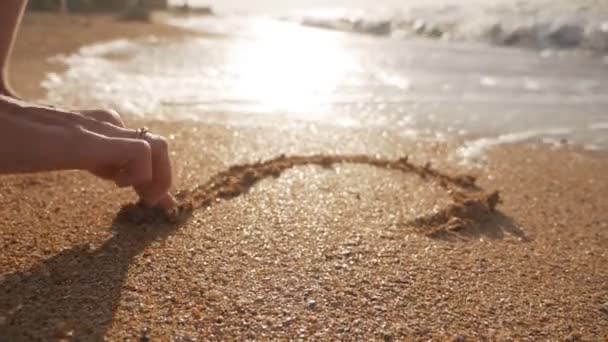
<point x="349" y="245"/>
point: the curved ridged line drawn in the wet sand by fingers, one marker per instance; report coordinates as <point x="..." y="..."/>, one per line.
<point x="470" y="208"/>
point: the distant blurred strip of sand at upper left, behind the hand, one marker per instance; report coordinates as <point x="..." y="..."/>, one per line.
<point x="42" y="37"/>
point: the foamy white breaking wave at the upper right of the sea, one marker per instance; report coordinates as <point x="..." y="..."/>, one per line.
<point x="536" y="30"/>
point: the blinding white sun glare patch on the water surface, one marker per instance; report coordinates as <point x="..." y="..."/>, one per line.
<point x="289" y="69"/>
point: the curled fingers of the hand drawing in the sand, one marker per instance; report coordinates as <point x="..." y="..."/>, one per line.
<point x="148" y="169"/>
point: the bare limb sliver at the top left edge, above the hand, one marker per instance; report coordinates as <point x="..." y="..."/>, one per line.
<point x="11" y="12"/>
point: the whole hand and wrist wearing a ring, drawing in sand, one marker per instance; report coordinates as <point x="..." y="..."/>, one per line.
<point x="35" y="138"/>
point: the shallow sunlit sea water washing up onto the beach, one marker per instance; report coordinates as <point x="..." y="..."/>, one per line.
<point x="287" y="65"/>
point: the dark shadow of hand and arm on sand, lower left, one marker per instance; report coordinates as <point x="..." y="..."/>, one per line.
<point x="74" y="294"/>
